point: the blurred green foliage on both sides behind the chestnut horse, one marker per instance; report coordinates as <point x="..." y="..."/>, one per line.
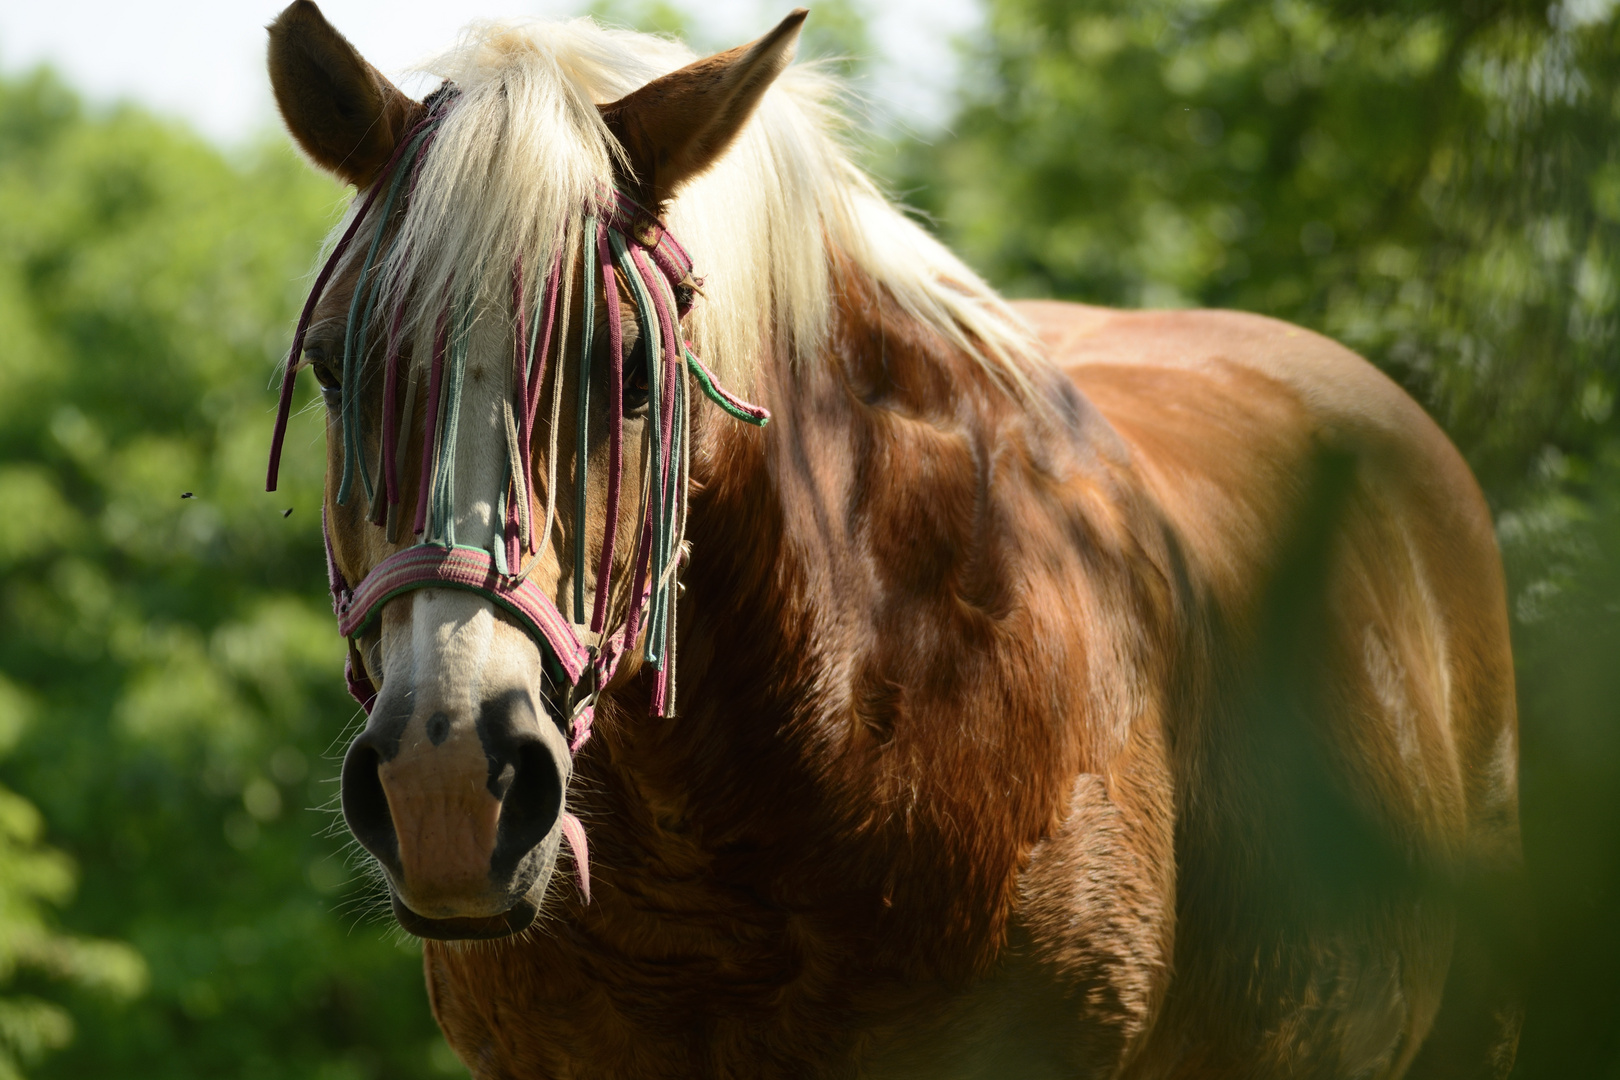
<point x="1435" y="185"/>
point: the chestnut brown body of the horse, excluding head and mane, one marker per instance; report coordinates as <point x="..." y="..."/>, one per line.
<point x="955" y="708"/>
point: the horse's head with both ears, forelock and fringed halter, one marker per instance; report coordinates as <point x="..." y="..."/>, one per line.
<point x="498" y="338"/>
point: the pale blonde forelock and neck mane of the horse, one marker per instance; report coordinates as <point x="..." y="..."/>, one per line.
<point x="524" y="153"/>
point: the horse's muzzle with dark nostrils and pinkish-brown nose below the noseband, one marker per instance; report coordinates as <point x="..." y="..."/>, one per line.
<point x="463" y="809"/>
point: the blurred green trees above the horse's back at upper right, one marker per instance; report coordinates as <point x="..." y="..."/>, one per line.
<point x="1435" y="185"/>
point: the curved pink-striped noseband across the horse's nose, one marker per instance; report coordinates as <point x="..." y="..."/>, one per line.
<point x="471" y="569"/>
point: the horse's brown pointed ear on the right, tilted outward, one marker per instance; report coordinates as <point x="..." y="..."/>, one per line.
<point x="676" y="127"/>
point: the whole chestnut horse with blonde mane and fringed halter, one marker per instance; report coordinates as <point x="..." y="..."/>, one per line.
<point x="1062" y="692"/>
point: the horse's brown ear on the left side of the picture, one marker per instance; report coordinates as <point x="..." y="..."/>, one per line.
<point x="339" y="109"/>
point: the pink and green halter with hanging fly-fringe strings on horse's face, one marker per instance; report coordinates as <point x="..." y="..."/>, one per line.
<point x="618" y="239"/>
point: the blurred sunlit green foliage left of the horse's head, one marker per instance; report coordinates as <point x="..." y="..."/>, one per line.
<point x="168" y="627"/>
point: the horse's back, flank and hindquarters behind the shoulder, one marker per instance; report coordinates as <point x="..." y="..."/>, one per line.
<point x="1341" y="728"/>
